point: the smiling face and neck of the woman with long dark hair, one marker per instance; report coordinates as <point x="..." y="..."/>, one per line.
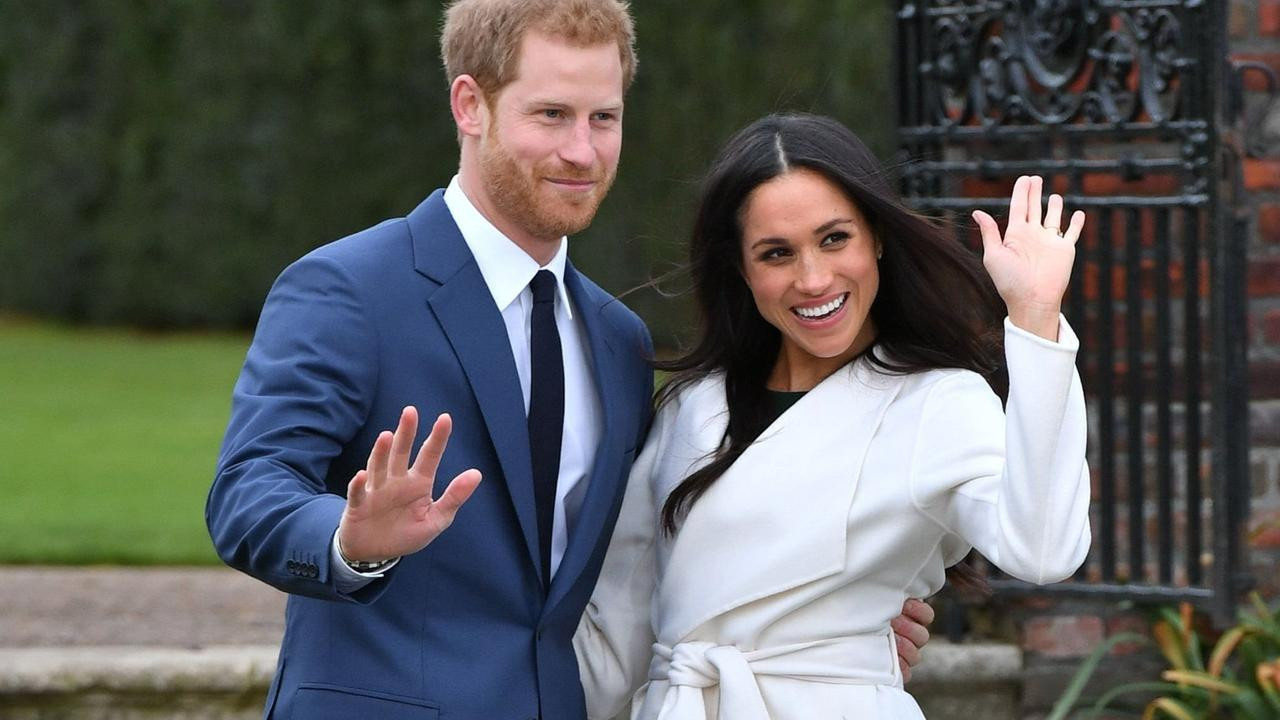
<point x="810" y="259"/>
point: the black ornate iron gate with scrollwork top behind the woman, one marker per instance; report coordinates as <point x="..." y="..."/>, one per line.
<point x="1127" y="108"/>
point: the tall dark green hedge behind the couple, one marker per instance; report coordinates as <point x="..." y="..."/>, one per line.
<point x="162" y="161"/>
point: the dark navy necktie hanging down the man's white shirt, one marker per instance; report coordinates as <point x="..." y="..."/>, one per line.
<point x="546" y="411"/>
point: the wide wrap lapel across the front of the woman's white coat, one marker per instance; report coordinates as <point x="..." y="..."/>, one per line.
<point x="779" y="517"/>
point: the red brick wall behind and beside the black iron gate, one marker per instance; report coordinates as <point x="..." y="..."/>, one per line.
<point x="1057" y="635"/>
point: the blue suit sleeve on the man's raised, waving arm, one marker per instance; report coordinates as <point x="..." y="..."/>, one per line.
<point x="303" y="395"/>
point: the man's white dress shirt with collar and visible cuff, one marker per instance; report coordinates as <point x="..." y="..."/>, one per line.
<point x="508" y="272"/>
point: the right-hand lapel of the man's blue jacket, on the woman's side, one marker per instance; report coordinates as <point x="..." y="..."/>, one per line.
<point x="605" y="482"/>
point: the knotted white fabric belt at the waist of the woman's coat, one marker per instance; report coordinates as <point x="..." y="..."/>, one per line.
<point x="694" y="666"/>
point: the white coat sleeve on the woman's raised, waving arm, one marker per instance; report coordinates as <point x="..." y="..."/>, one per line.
<point x="1017" y="486"/>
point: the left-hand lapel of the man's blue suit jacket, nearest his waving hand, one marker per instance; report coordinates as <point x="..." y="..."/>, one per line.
<point x="474" y="327"/>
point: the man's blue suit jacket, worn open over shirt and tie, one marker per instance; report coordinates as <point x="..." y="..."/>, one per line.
<point x="353" y="332"/>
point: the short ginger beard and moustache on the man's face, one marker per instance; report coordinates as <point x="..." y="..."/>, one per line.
<point x="515" y="195"/>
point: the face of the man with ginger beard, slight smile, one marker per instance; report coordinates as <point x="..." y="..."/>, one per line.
<point x="551" y="151"/>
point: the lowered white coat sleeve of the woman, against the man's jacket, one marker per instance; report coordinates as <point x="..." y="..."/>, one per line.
<point x="615" y="637"/>
